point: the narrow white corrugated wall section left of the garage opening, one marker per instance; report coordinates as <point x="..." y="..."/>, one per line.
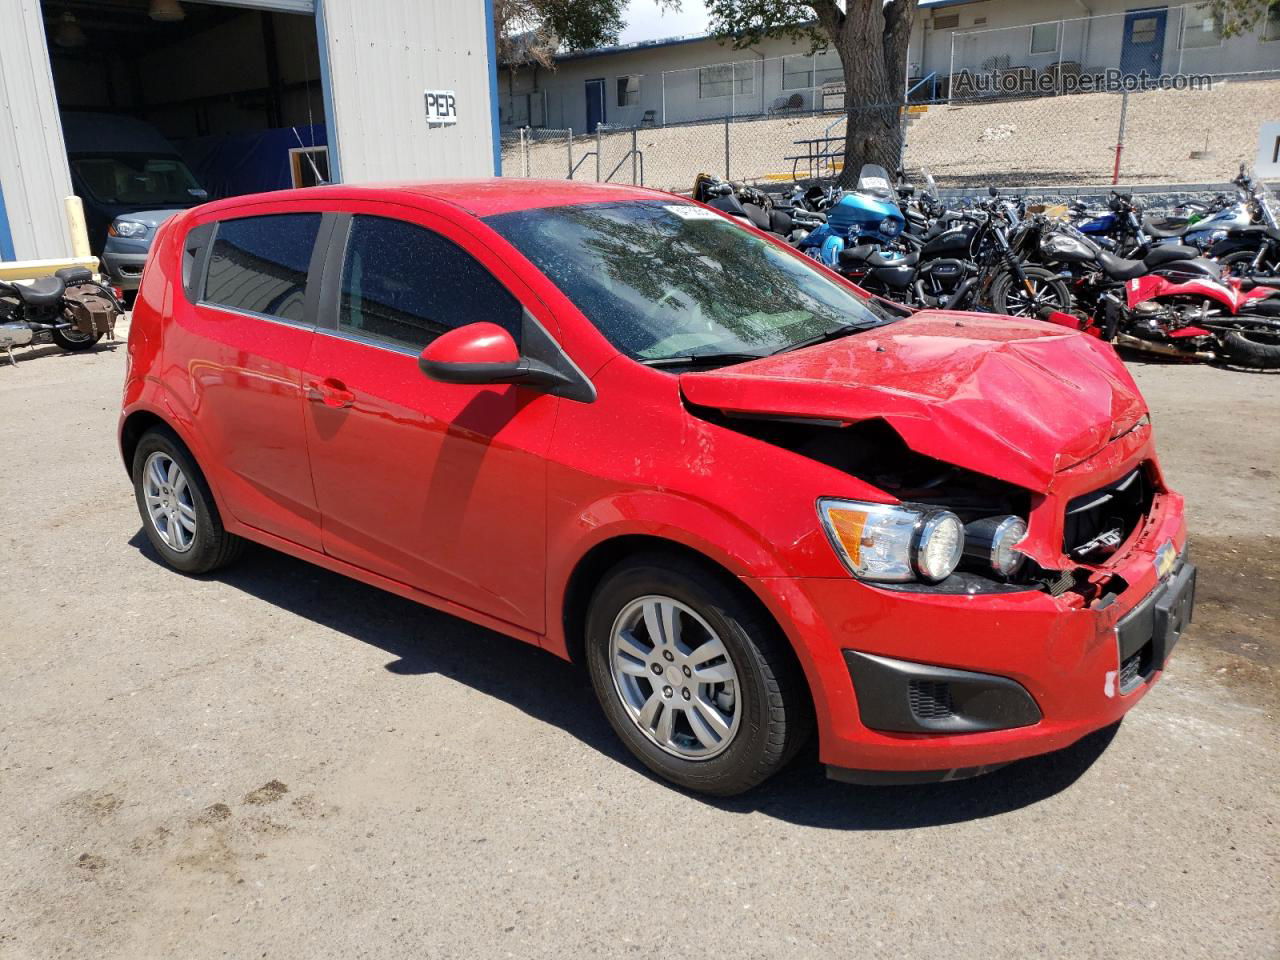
<point x="33" y="158"/>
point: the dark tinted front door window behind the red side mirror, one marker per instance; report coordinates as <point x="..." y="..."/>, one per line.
<point x="406" y="286"/>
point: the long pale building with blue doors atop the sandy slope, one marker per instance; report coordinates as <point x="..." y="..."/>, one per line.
<point x="696" y="79"/>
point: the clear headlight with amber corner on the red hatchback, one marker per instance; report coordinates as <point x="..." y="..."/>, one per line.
<point x="893" y="543"/>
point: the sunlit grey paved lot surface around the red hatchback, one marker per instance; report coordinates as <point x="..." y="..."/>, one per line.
<point x="284" y="764"/>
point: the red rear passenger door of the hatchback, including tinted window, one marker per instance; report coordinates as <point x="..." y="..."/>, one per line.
<point x="236" y="354"/>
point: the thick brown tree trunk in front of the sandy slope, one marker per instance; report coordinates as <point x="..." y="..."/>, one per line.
<point x="871" y="38"/>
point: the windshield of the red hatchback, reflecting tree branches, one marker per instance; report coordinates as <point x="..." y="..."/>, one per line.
<point x="665" y="281"/>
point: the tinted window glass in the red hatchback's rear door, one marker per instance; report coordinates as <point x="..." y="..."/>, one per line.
<point x="260" y="264"/>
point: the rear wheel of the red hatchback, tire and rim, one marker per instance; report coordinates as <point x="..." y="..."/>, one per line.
<point x="179" y="513"/>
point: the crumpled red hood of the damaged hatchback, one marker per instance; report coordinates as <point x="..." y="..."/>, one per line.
<point x="1014" y="400"/>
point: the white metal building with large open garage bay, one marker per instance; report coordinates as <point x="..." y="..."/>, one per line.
<point x="356" y="70"/>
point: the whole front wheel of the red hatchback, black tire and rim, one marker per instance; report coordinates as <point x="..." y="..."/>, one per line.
<point x="694" y="679"/>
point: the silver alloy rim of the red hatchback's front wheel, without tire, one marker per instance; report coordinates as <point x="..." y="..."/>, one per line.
<point x="675" y="676"/>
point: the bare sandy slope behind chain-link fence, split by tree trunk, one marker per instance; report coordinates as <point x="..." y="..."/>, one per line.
<point x="1185" y="134"/>
